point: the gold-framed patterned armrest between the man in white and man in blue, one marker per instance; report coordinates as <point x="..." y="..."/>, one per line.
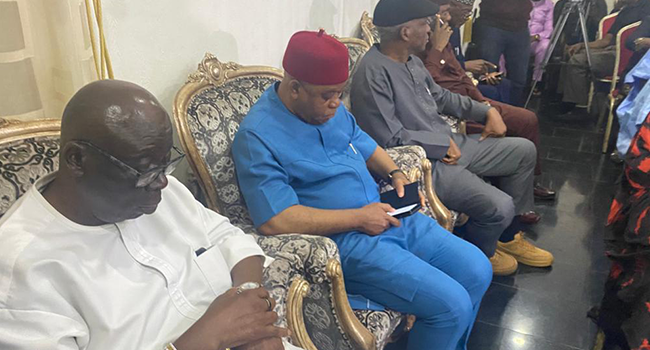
<point x="308" y="272"/>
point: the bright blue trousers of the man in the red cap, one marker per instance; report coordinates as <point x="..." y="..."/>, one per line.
<point x="420" y="269"/>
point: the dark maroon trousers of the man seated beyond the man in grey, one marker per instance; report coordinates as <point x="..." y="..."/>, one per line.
<point x="520" y="123"/>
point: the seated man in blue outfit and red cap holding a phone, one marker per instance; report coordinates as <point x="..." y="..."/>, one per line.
<point x="304" y="165"/>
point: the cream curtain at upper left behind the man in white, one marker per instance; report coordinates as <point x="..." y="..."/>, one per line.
<point x="45" y="56"/>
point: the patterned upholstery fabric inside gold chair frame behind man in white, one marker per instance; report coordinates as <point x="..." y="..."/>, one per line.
<point x="22" y="163"/>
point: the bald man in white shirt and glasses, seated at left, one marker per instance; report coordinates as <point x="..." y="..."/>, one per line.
<point x="111" y="253"/>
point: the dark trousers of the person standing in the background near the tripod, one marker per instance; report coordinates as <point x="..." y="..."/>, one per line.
<point x="514" y="46"/>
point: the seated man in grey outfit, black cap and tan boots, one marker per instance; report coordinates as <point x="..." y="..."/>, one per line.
<point x="397" y="103"/>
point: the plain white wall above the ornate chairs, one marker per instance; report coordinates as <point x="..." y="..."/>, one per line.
<point x="157" y="43"/>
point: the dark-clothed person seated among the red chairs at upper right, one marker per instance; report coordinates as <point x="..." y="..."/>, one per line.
<point x="575" y="78"/>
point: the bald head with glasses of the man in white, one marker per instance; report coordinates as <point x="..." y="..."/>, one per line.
<point x="113" y="135"/>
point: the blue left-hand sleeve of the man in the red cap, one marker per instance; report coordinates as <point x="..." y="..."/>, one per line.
<point x="262" y="180"/>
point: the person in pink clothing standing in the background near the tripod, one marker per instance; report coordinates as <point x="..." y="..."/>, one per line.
<point x="541" y="28"/>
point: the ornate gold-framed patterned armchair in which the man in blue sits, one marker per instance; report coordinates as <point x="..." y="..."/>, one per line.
<point x="207" y="113"/>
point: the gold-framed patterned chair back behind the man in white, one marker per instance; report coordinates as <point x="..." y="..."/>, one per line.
<point x="28" y="151"/>
